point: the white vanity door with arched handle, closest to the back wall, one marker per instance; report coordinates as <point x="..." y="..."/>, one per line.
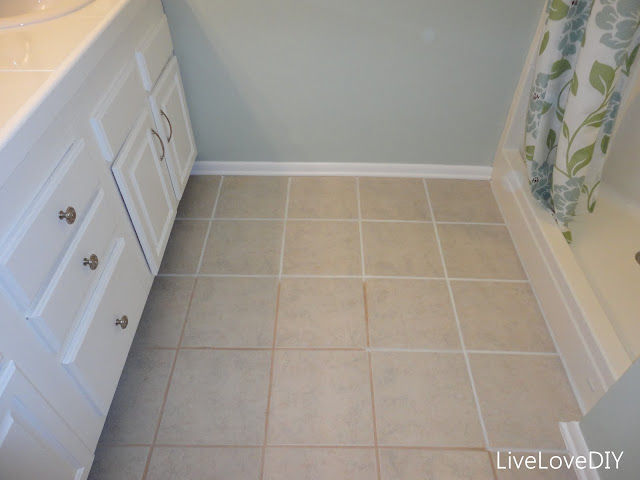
<point x="170" y="112"/>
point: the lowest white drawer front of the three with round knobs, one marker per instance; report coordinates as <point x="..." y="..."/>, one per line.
<point x="99" y="347"/>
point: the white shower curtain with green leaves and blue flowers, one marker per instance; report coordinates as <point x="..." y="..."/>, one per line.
<point x="585" y="57"/>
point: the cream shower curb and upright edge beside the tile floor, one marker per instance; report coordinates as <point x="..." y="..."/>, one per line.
<point x="593" y="354"/>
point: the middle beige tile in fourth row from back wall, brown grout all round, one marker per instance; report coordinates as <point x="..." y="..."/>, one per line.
<point x="321" y="398"/>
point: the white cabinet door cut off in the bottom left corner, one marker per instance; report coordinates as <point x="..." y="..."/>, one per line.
<point x="34" y="441"/>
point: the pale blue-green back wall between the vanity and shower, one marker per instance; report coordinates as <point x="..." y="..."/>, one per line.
<point x="407" y="81"/>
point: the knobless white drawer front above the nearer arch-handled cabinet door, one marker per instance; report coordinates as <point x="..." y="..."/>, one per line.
<point x="117" y="111"/>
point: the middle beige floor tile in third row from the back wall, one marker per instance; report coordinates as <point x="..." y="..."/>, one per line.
<point x="321" y="313"/>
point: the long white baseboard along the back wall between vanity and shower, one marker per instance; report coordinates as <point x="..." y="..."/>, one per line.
<point x="342" y="169"/>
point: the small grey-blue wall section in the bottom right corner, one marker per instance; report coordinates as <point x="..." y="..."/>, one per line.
<point x="614" y="424"/>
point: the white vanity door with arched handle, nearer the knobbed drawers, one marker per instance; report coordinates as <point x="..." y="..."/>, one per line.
<point x="143" y="178"/>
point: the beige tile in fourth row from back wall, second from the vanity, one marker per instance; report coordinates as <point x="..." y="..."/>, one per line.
<point x="217" y="398"/>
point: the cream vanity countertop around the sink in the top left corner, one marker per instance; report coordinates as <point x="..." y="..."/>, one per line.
<point x="35" y="58"/>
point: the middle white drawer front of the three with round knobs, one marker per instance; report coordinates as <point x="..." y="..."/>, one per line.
<point x="67" y="292"/>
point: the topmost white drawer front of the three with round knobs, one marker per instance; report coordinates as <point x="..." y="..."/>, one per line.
<point x="26" y="258"/>
